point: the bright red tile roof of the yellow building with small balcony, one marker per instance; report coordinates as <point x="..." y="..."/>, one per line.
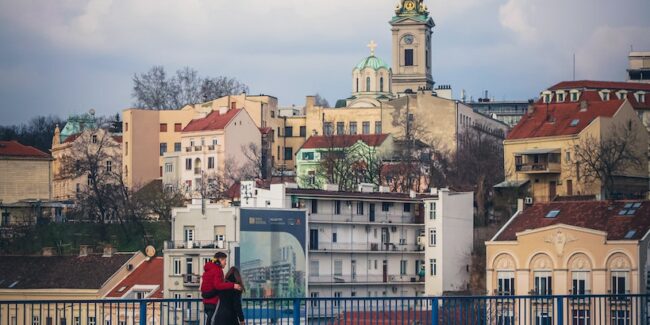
<point x="536" y="124"/>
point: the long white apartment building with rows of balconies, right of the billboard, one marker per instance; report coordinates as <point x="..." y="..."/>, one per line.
<point x="378" y="243"/>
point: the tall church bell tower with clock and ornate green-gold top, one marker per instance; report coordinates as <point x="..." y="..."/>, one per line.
<point x="412" y="28"/>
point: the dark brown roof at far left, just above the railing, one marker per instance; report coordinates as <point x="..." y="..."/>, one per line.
<point x="59" y="272"/>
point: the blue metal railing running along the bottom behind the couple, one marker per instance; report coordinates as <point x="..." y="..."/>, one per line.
<point x="483" y="310"/>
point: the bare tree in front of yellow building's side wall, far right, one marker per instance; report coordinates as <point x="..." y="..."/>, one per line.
<point x="605" y="159"/>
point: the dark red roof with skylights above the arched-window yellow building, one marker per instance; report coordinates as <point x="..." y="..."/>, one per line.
<point x="596" y="215"/>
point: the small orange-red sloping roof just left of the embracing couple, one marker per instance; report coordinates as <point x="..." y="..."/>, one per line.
<point x="148" y="273"/>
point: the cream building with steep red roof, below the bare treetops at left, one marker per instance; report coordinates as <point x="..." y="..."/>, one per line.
<point x="208" y="146"/>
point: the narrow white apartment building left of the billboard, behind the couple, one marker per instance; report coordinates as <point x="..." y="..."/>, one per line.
<point x="198" y="232"/>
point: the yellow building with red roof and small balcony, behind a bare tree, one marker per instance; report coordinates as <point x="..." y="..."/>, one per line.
<point x="540" y="152"/>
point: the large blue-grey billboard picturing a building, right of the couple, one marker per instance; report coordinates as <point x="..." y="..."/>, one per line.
<point x="272" y="253"/>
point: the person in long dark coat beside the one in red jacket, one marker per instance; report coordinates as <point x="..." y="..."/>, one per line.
<point x="230" y="311"/>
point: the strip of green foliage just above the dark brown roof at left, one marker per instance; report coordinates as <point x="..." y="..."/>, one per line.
<point x="67" y="237"/>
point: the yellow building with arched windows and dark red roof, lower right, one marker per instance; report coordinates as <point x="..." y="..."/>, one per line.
<point x="563" y="248"/>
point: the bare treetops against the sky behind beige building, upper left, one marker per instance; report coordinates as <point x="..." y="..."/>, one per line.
<point x="155" y="90"/>
